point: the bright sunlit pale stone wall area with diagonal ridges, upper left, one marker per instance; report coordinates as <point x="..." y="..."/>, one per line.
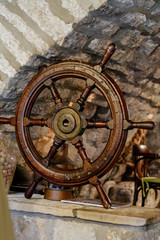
<point x="32" y="27"/>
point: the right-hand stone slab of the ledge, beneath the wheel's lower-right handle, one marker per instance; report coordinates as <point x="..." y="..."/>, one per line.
<point x="133" y="216"/>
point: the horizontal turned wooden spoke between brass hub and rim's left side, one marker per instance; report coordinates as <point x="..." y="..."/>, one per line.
<point x="28" y="122"/>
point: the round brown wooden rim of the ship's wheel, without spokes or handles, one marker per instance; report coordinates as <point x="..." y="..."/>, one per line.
<point x="115" y="101"/>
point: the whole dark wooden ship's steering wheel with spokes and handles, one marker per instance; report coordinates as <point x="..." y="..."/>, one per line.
<point x="69" y="124"/>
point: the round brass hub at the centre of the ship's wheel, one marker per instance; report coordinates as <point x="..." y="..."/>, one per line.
<point x="67" y="123"/>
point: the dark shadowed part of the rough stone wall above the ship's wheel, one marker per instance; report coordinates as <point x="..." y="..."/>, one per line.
<point x="134" y="27"/>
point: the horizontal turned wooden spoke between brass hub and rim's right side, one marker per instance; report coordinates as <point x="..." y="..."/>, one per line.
<point x="100" y="124"/>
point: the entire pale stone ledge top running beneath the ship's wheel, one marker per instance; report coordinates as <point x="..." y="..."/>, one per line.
<point x="133" y="216"/>
